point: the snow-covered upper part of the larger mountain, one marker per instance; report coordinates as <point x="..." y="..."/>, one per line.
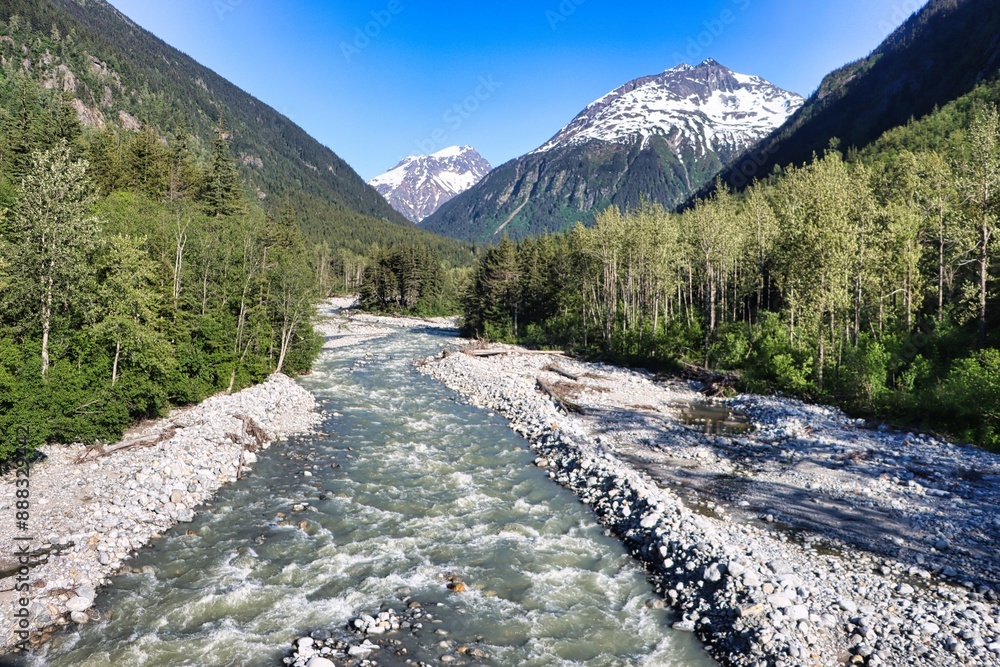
<point x="708" y="106"/>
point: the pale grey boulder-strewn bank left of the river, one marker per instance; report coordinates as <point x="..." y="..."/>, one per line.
<point x="92" y="508"/>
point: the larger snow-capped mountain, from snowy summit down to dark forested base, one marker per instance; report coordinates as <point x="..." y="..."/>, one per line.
<point x="658" y="138"/>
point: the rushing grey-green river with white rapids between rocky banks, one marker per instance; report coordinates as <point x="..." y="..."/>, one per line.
<point x="425" y="487"/>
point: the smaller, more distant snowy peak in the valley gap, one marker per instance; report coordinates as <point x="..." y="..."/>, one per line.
<point x="419" y="185"/>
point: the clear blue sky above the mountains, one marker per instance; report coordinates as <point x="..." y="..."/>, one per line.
<point x="377" y="80"/>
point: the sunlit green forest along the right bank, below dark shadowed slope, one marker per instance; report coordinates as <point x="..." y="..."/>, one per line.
<point x="866" y="279"/>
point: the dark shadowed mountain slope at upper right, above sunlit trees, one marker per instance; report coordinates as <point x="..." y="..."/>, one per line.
<point x="936" y="56"/>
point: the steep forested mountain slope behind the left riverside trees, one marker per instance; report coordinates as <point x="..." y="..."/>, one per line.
<point x="121" y="79"/>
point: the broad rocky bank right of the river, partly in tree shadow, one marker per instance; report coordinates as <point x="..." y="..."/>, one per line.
<point x="810" y="540"/>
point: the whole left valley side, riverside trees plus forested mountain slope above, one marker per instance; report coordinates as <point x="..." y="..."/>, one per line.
<point x="164" y="235"/>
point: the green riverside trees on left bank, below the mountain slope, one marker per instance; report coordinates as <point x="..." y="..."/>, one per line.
<point x="134" y="275"/>
